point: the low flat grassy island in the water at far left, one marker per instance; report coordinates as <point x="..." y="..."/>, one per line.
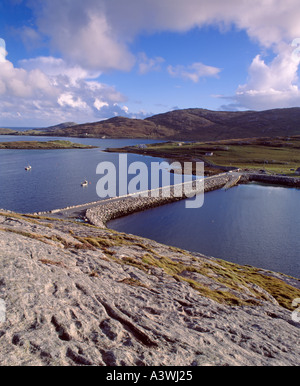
<point x="39" y="145"/>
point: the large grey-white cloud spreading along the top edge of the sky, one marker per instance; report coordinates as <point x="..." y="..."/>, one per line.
<point x="97" y="33"/>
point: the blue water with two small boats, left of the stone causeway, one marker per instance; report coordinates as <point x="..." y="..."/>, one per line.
<point x="56" y="175"/>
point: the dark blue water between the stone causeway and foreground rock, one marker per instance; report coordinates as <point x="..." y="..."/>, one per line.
<point x="249" y="224"/>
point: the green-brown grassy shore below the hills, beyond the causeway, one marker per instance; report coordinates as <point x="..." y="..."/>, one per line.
<point x="278" y="155"/>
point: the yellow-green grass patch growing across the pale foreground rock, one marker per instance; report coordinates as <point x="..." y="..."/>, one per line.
<point x="232" y="278"/>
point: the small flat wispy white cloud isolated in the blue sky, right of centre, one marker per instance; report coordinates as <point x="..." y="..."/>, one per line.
<point x="193" y="72"/>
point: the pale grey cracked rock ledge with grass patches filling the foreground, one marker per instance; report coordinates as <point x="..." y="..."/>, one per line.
<point x="81" y="295"/>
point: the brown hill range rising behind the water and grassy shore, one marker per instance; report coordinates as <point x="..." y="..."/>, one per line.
<point x="193" y="124"/>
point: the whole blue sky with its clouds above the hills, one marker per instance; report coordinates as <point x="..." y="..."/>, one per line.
<point x="86" y="61"/>
